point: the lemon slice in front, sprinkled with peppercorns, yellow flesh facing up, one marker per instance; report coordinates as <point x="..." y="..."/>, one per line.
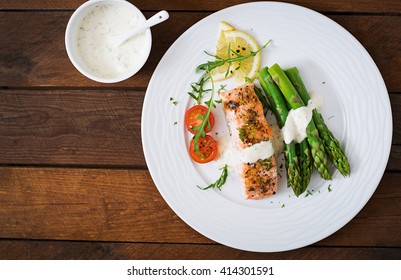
<point x="242" y="43"/>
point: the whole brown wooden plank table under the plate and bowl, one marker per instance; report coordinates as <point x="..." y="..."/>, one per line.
<point x="73" y="178"/>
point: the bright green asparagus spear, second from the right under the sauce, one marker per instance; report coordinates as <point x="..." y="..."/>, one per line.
<point x="292" y="97"/>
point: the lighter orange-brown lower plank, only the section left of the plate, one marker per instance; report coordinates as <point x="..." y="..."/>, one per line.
<point x="87" y="204"/>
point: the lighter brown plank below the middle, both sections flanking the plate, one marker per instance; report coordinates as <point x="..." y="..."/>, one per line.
<point x="125" y="206"/>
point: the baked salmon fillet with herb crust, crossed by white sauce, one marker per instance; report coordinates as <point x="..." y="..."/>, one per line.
<point x="248" y="127"/>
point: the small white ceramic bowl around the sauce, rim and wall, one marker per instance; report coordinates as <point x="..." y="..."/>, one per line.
<point x="71" y="36"/>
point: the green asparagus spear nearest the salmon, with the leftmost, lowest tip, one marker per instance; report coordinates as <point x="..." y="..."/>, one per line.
<point x="278" y="106"/>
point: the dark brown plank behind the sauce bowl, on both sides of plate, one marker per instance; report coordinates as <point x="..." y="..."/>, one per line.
<point x="38" y="56"/>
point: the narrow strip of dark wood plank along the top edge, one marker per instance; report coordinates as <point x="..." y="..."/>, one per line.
<point x="382" y="6"/>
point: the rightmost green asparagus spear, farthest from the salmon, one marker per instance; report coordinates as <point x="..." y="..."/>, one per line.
<point x="331" y="144"/>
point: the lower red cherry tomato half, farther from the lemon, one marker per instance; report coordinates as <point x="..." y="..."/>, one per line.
<point x="207" y="149"/>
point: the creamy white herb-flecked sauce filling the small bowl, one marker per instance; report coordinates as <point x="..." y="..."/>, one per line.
<point x="97" y="52"/>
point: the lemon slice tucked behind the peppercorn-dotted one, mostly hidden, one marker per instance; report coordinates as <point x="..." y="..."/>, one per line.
<point x="220" y="73"/>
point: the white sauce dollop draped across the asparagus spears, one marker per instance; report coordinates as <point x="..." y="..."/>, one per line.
<point x="298" y="120"/>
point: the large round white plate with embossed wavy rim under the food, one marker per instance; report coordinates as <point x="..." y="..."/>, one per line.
<point x="357" y="109"/>
